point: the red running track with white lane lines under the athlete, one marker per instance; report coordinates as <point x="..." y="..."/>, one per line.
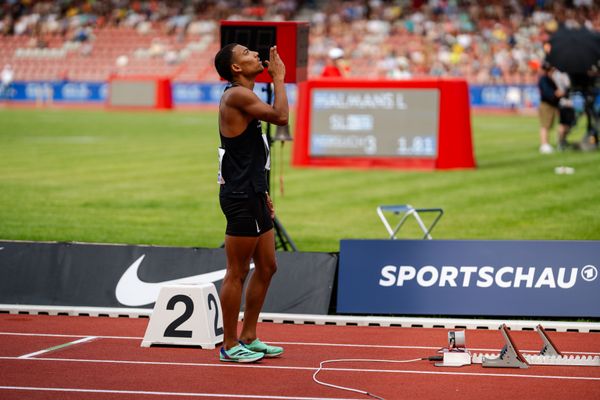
<point x="110" y="364"/>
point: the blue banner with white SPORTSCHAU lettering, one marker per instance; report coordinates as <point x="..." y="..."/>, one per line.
<point x="478" y="278"/>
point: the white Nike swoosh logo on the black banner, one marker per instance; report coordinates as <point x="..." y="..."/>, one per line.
<point x="131" y="291"/>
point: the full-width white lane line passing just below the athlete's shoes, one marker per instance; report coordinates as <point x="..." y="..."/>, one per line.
<point x="259" y="366"/>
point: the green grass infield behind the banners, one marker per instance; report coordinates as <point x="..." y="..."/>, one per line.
<point x="151" y="178"/>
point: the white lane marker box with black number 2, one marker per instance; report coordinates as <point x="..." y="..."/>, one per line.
<point x="186" y="315"/>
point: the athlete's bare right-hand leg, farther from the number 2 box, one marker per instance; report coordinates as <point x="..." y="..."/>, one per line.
<point x="265" y="266"/>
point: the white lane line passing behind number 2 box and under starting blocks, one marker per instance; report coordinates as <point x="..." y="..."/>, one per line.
<point x="381" y="346"/>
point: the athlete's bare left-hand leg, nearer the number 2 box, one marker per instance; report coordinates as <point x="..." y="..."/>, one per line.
<point x="239" y="251"/>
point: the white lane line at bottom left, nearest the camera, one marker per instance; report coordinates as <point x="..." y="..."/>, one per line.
<point x="183" y="394"/>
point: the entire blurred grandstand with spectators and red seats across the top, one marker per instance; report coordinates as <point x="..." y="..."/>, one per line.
<point x="499" y="42"/>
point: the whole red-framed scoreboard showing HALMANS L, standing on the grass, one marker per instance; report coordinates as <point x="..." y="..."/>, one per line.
<point x="421" y="124"/>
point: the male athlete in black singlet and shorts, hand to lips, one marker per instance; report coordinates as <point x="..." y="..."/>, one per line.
<point x="243" y="164"/>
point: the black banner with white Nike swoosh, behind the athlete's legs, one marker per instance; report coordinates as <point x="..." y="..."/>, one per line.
<point x="75" y="274"/>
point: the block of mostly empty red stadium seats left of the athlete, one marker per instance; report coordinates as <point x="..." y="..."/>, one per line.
<point x="143" y="54"/>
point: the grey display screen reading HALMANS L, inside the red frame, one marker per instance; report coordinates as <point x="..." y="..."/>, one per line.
<point x="374" y="122"/>
